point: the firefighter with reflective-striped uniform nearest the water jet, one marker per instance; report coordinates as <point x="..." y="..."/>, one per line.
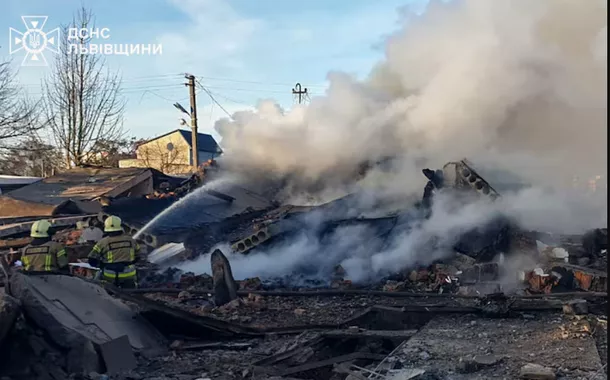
<point x="115" y="255"/>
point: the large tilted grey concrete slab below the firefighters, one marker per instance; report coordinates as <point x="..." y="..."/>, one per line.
<point x="72" y="310"/>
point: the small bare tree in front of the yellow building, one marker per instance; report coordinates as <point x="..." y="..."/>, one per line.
<point x="156" y="155"/>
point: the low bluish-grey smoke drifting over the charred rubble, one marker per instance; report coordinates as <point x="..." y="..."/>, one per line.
<point x="368" y="255"/>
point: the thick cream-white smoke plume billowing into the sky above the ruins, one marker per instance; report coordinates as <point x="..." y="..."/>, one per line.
<point x="520" y="84"/>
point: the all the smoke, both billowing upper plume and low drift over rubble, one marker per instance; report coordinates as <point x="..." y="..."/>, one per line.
<point x="510" y="84"/>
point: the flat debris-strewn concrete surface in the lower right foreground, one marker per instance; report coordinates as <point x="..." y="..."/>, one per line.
<point x="445" y="342"/>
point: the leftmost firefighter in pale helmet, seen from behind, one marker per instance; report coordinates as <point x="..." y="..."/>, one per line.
<point x="43" y="254"/>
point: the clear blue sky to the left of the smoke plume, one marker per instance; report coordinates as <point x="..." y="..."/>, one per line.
<point x="242" y="50"/>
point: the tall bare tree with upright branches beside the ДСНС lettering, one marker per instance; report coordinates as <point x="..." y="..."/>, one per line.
<point x="81" y="96"/>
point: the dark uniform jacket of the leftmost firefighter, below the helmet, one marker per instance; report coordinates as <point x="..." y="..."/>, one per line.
<point x="48" y="256"/>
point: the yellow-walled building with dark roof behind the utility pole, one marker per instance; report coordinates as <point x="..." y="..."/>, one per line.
<point x="171" y="152"/>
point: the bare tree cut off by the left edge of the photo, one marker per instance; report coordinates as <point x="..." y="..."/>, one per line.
<point x="18" y="116"/>
